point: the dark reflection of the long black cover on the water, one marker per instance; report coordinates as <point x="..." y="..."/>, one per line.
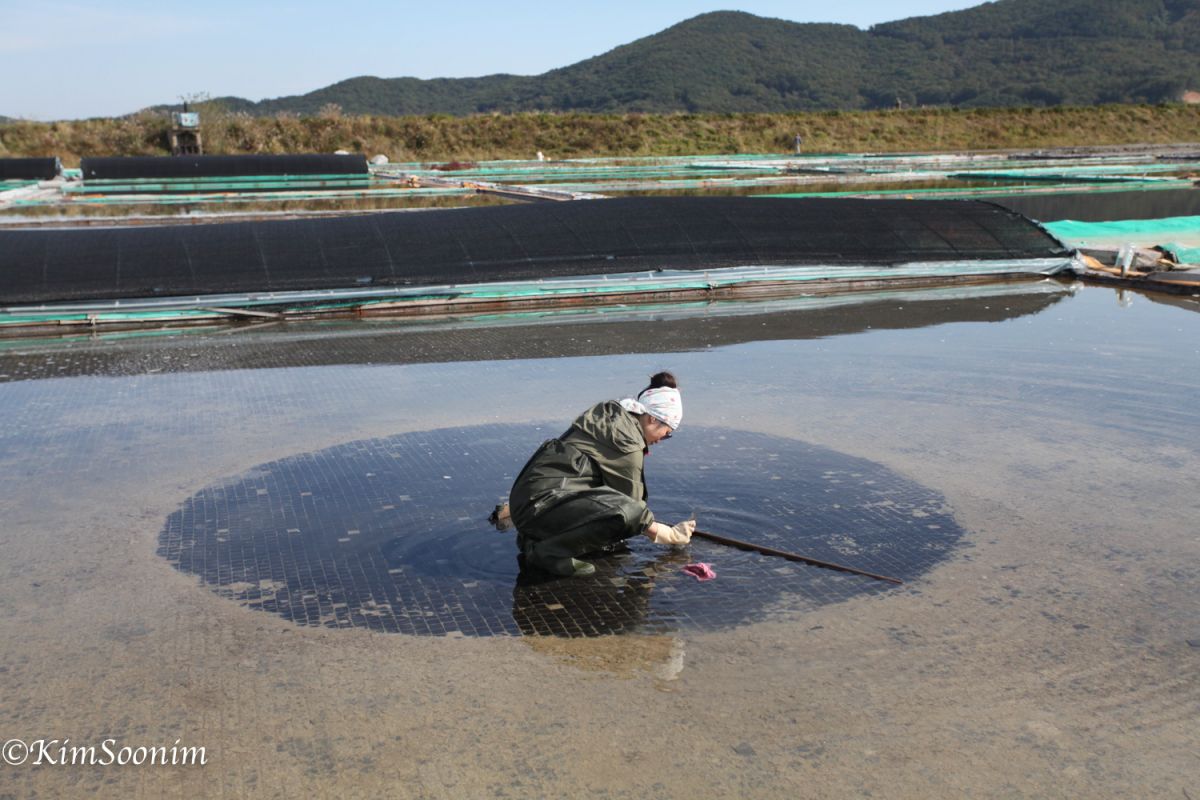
<point x="627" y="329"/>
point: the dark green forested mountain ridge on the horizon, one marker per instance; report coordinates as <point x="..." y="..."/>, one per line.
<point x="1004" y="53"/>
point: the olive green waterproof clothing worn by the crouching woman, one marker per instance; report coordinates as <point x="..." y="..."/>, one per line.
<point x="584" y="491"/>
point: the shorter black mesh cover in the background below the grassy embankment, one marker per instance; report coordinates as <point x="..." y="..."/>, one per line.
<point x="116" y="169"/>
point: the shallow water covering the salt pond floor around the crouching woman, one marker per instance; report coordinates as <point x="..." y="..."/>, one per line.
<point x="1025" y="458"/>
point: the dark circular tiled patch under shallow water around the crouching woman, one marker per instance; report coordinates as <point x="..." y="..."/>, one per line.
<point x="392" y="536"/>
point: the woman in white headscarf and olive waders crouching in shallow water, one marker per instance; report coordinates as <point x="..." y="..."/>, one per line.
<point x="586" y="490"/>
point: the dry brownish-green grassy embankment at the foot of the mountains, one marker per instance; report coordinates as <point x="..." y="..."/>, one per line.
<point x="578" y="135"/>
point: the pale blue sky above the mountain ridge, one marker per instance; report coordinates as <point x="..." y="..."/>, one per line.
<point x="67" y="59"/>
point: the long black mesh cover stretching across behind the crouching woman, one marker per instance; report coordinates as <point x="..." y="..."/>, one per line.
<point x="515" y="243"/>
